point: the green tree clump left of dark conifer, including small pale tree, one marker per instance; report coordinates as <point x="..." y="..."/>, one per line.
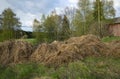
<point x="49" y="29"/>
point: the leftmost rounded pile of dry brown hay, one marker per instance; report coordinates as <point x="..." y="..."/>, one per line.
<point x="14" y="52"/>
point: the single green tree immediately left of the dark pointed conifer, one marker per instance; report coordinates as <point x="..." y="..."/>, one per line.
<point x="52" y="26"/>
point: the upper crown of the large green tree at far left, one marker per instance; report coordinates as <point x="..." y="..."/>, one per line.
<point x="9" y="19"/>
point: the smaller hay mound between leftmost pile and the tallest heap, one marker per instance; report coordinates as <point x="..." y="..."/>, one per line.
<point x="43" y="51"/>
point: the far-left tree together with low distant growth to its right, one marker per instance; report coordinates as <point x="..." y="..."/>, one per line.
<point x="10" y="26"/>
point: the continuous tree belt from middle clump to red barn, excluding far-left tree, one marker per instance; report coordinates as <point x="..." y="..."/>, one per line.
<point x="89" y="17"/>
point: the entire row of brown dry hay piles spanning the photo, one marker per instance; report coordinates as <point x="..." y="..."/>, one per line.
<point x="57" y="53"/>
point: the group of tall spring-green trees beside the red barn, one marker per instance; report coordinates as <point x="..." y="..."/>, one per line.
<point x="93" y="17"/>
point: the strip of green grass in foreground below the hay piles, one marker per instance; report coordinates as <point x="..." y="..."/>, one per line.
<point x="89" y="68"/>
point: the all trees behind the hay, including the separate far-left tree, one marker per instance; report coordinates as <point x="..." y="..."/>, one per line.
<point x="90" y="17"/>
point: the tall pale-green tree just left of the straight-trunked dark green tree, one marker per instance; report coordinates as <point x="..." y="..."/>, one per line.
<point x="83" y="17"/>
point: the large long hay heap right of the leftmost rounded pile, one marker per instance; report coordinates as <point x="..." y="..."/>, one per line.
<point x="74" y="49"/>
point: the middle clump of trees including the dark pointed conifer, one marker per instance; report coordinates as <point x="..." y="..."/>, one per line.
<point x="52" y="27"/>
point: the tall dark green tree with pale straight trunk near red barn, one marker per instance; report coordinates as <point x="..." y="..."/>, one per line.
<point x="98" y="14"/>
